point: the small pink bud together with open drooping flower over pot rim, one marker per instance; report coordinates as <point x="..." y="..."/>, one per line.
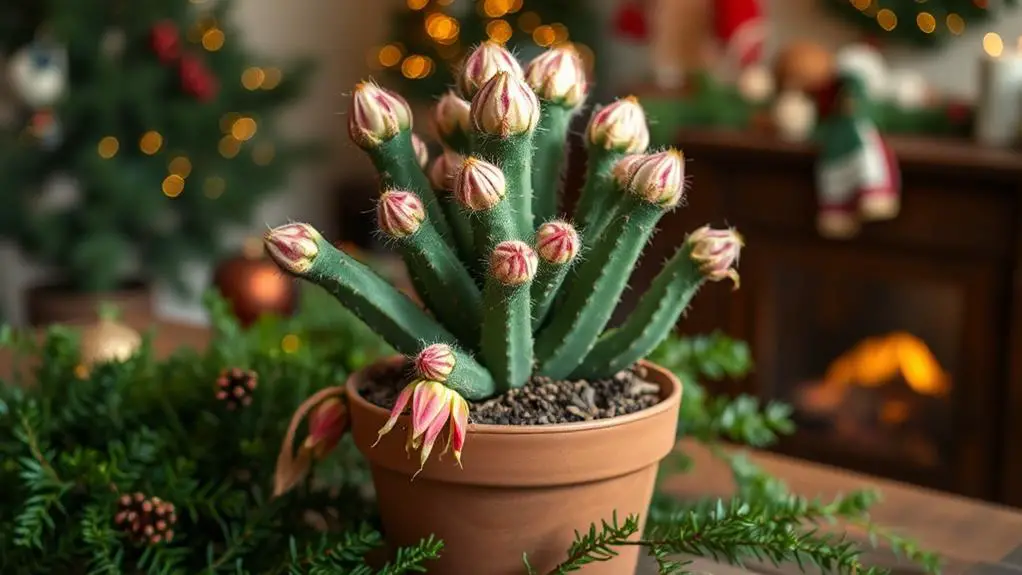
<point x="434" y="406"/>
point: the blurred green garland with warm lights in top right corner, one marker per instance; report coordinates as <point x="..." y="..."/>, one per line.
<point x="930" y="23"/>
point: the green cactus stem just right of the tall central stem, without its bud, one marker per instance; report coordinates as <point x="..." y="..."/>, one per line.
<point x="548" y="160"/>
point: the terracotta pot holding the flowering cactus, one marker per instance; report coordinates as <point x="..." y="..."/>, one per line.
<point x="524" y="489"/>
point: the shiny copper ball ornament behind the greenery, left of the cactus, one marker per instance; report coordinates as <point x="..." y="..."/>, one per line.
<point x="255" y="286"/>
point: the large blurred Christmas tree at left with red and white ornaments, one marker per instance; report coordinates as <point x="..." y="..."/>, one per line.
<point x="140" y="132"/>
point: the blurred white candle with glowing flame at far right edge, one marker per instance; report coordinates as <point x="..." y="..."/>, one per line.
<point x="999" y="108"/>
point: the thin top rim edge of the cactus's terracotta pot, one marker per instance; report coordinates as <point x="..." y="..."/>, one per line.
<point x="666" y="404"/>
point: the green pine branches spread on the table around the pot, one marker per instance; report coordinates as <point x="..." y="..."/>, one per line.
<point x="71" y="445"/>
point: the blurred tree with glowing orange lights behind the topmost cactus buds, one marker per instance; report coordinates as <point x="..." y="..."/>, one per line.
<point x="431" y="37"/>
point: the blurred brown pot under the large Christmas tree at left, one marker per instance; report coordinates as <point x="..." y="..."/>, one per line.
<point x="61" y="305"/>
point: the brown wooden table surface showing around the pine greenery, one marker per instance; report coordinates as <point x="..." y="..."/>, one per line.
<point x="973" y="538"/>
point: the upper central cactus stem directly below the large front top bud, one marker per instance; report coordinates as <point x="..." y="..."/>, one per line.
<point x="515" y="157"/>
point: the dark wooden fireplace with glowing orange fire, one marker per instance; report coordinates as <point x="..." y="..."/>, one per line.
<point x="900" y="350"/>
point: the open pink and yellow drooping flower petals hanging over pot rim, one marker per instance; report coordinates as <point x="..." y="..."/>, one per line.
<point x="434" y="407"/>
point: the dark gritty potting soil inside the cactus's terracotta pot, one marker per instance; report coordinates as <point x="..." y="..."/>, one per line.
<point x="541" y="402"/>
